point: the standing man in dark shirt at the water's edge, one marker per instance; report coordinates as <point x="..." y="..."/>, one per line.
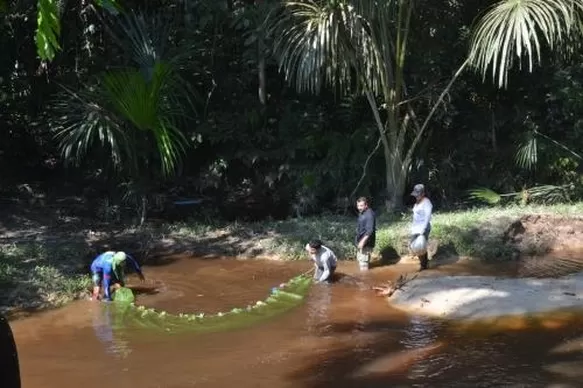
<point x="365" y="233"/>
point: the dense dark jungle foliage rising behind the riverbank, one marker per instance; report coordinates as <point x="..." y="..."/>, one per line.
<point x="133" y="107"/>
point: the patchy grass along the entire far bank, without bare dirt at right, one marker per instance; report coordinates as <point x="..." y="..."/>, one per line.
<point x="50" y="273"/>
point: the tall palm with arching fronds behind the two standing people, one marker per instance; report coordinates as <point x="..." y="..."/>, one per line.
<point x="360" y="46"/>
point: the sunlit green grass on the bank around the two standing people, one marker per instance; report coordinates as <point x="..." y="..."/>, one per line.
<point x="476" y="233"/>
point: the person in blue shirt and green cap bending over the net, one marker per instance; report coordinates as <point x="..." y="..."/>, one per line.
<point x="107" y="270"/>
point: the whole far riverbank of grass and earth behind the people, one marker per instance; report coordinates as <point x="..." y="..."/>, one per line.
<point x="44" y="257"/>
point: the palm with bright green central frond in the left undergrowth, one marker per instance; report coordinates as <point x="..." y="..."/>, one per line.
<point x="132" y="115"/>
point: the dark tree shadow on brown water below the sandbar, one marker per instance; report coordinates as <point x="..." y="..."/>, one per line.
<point x="425" y="353"/>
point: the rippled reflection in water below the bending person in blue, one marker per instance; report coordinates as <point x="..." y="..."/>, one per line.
<point x="103" y="323"/>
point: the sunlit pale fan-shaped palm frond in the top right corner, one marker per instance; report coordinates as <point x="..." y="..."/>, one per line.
<point x="512" y="29"/>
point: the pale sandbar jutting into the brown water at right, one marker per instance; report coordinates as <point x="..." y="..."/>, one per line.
<point x="479" y="297"/>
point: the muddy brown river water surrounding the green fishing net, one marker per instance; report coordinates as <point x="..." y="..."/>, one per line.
<point x="342" y="336"/>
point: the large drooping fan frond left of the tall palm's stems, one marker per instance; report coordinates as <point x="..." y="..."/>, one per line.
<point x="326" y="42"/>
